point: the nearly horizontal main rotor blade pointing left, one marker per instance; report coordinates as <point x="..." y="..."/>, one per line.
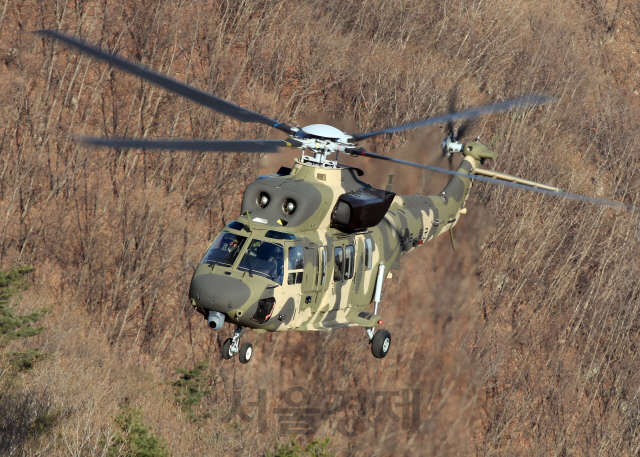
<point x="254" y="146"/>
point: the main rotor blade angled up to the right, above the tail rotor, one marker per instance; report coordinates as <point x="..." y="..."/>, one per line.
<point x="522" y="102"/>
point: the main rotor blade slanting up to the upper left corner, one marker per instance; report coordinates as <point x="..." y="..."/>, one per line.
<point x="190" y="92"/>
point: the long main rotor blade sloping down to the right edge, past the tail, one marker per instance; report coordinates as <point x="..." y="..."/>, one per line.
<point x="578" y="197"/>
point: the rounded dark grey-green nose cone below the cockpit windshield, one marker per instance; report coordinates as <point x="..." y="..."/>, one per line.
<point x="218" y="292"/>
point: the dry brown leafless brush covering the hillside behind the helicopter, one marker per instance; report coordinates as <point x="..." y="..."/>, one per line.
<point x="524" y="341"/>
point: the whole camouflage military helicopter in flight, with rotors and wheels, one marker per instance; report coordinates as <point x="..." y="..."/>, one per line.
<point x="313" y="242"/>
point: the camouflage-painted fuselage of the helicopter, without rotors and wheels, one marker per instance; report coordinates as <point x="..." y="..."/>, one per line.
<point x="279" y="267"/>
